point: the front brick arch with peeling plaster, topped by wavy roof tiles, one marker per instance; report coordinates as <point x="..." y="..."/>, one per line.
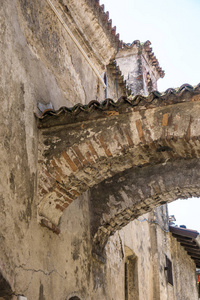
<point x="82" y="147"/>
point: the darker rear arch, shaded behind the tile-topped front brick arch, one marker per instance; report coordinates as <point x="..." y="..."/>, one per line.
<point x="136" y="191"/>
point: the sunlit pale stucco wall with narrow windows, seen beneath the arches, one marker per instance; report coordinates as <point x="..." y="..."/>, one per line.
<point x="150" y="241"/>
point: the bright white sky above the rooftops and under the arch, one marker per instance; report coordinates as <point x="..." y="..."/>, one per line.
<point x="173" y="27"/>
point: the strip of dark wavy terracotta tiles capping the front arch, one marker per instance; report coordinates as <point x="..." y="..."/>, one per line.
<point x="97" y="110"/>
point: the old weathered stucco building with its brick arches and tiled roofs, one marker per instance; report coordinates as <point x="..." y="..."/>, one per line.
<point x="76" y="176"/>
